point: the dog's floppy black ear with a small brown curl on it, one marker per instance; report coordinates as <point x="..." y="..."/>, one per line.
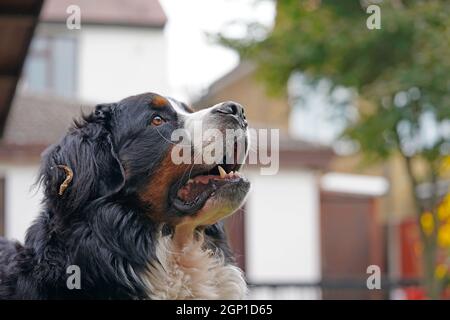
<point x="88" y="151"/>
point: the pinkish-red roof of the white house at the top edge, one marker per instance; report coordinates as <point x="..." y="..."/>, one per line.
<point x="143" y="13"/>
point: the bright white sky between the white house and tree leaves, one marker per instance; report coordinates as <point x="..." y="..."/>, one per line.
<point x="195" y="62"/>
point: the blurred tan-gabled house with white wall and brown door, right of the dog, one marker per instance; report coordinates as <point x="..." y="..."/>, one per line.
<point x="319" y="219"/>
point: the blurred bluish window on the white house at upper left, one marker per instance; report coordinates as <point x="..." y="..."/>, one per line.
<point x="51" y="66"/>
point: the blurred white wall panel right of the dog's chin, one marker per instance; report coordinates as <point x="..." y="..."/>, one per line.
<point x="282" y="227"/>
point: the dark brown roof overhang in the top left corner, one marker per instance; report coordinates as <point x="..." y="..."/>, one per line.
<point x="18" y="20"/>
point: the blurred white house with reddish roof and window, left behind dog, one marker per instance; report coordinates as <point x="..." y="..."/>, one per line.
<point x="119" y="51"/>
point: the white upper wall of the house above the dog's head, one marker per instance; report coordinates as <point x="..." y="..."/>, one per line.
<point x="116" y="62"/>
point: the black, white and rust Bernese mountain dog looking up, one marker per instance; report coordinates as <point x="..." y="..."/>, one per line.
<point x="134" y="223"/>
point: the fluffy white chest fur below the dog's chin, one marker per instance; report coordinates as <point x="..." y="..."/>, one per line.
<point x="192" y="273"/>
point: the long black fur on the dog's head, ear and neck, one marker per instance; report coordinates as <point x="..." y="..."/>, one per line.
<point x="98" y="223"/>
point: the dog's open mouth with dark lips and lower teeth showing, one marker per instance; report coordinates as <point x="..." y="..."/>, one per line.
<point x="190" y="196"/>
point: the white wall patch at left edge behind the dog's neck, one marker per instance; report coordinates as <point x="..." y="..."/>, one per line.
<point x="22" y="202"/>
